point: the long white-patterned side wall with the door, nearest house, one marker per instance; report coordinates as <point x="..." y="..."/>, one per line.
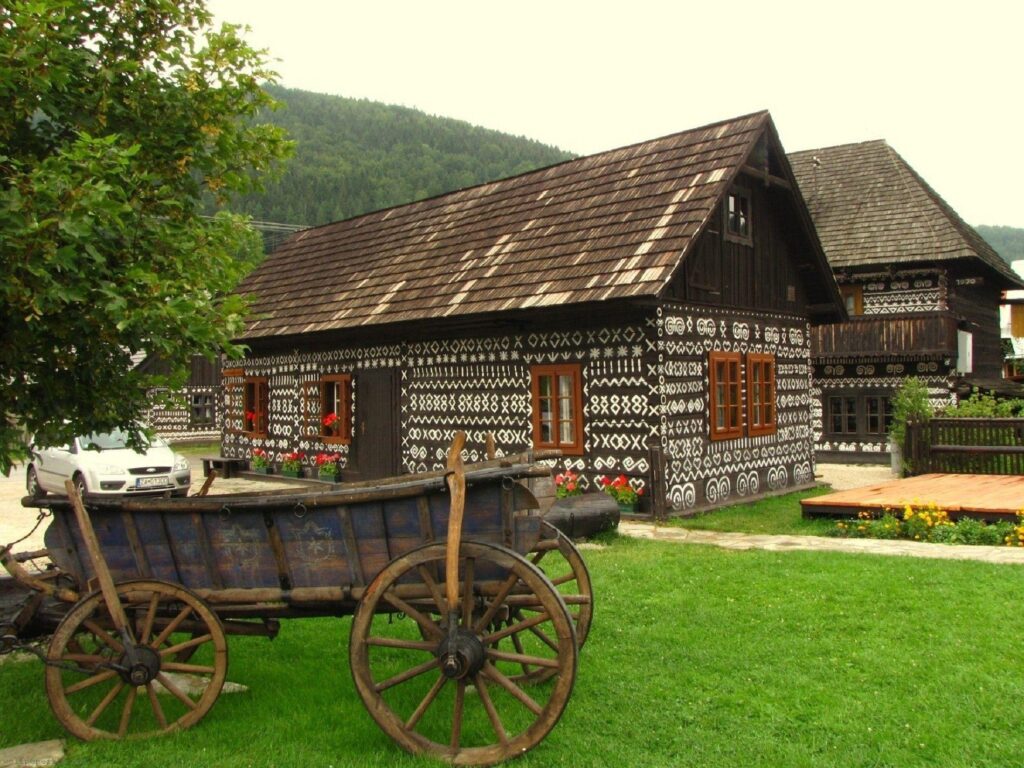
<point x="480" y="386"/>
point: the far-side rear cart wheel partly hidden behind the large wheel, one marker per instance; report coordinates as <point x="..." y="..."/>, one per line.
<point x="556" y="554"/>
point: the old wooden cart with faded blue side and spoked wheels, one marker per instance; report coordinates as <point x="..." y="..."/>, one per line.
<point x="440" y="572"/>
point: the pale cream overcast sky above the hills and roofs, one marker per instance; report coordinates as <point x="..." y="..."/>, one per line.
<point x="940" y="80"/>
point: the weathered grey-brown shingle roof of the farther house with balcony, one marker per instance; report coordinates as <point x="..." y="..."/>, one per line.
<point x="872" y="209"/>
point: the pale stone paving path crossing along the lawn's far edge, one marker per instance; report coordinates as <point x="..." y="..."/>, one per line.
<point x="1013" y="556"/>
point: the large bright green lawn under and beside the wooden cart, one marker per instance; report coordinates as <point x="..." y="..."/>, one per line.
<point x="698" y="657"/>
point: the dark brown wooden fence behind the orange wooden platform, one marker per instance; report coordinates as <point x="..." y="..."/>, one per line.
<point x="993" y="447"/>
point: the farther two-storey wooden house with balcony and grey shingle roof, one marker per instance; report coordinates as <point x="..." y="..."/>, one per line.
<point x="922" y="289"/>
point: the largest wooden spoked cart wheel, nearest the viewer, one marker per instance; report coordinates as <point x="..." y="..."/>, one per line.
<point x="452" y="696"/>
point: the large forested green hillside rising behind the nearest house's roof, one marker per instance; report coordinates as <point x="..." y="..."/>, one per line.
<point x="355" y="156"/>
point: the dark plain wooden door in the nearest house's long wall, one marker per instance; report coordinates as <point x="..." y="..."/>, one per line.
<point x="375" y="429"/>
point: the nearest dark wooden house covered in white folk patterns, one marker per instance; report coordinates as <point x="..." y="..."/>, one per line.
<point x="647" y="311"/>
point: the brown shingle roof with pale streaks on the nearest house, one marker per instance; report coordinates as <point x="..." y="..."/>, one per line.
<point x="612" y="226"/>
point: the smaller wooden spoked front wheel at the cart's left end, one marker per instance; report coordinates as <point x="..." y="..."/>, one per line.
<point x="112" y="688"/>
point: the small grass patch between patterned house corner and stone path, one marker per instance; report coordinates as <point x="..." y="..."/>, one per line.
<point x="779" y="515"/>
